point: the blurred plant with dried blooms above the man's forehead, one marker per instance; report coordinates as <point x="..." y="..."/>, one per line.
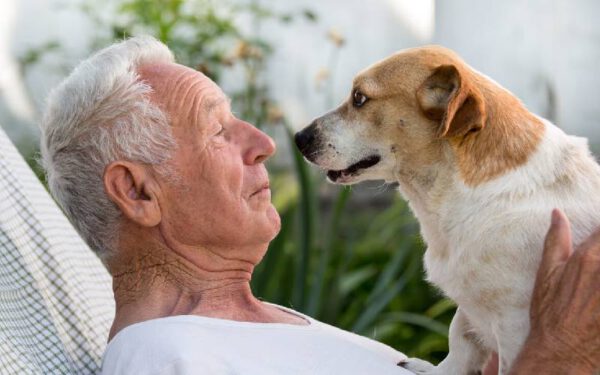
<point x="208" y="35"/>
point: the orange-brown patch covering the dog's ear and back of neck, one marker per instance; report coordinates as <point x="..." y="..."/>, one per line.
<point x="489" y="129"/>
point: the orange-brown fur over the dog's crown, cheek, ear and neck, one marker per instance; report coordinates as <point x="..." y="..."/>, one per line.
<point x="500" y="134"/>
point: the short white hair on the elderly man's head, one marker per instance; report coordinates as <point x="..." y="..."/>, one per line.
<point x="99" y="114"/>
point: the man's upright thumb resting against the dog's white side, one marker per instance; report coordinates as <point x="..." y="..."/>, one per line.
<point x="558" y="246"/>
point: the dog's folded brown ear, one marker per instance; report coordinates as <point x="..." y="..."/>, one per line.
<point x="446" y="96"/>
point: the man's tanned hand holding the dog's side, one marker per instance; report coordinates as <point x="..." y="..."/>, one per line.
<point x="565" y="307"/>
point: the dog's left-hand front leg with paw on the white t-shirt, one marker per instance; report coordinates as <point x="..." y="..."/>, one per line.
<point x="466" y="357"/>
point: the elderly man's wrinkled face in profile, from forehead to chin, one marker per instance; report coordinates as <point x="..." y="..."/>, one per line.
<point x="220" y="197"/>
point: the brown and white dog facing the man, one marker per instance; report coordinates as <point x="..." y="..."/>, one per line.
<point x="481" y="174"/>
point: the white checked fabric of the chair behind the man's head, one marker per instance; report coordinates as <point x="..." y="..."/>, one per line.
<point x="56" y="302"/>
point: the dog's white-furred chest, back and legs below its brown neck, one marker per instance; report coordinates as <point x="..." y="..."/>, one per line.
<point x="485" y="242"/>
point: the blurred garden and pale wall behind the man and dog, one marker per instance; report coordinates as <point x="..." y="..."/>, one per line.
<point x="349" y="257"/>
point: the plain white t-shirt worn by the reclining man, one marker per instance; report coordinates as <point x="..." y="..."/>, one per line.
<point x="191" y="344"/>
